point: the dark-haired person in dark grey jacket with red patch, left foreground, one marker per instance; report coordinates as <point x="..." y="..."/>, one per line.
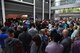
<point x="12" y="45"/>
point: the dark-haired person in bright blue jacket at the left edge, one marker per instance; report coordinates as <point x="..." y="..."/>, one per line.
<point x="3" y="36"/>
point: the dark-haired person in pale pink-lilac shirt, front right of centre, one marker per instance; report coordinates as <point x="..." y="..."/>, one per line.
<point x="54" y="46"/>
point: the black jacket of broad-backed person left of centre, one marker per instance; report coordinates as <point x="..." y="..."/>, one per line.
<point x="26" y="39"/>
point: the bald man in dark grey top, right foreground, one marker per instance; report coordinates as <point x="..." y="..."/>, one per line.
<point x="66" y="42"/>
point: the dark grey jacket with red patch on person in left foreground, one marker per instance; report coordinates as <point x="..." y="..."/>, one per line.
<point x="13" y="46"/>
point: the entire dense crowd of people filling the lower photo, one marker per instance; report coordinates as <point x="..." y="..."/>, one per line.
<point x="25" y="36"/>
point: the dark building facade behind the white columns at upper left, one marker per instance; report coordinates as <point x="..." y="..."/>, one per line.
<point x="25" y="7"/>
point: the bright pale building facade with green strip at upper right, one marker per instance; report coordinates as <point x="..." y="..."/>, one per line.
<point x="66" y="8"/>
